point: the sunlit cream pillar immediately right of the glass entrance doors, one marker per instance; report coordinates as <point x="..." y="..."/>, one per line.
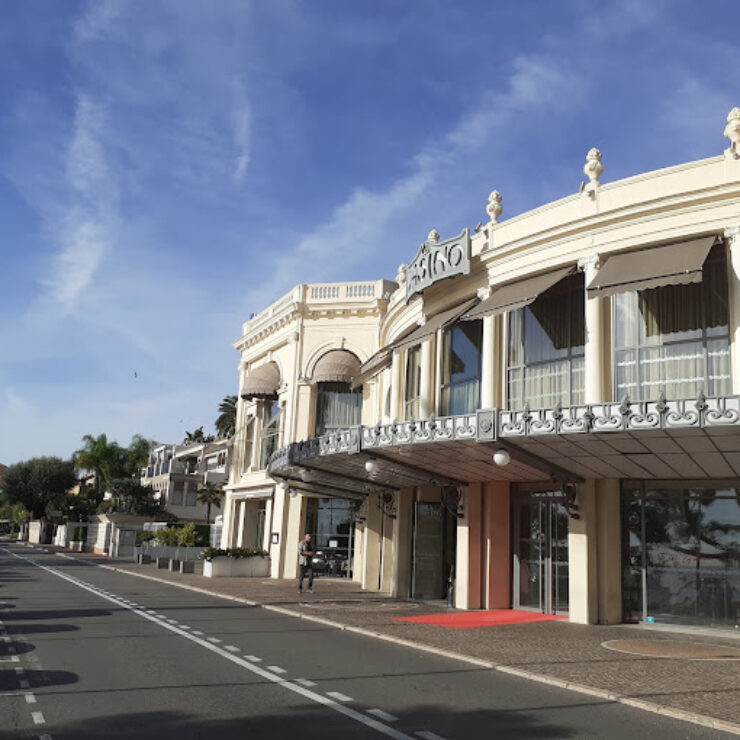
<point x="582" y="555"/>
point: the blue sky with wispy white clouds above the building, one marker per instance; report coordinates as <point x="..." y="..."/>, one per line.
<point x="168" y="168"/>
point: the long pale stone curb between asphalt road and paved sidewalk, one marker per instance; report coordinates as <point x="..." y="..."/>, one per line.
<point x="648" y="706"/>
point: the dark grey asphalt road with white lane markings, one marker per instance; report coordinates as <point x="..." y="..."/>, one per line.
<point x="89" y="653"/>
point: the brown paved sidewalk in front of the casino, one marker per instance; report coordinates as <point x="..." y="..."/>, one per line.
<point x="707" y="691"/>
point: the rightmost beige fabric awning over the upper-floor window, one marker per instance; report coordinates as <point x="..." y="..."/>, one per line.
<point x="674" y="264"/>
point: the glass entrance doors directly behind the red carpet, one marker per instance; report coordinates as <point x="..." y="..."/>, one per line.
<point x="540" y="553"/>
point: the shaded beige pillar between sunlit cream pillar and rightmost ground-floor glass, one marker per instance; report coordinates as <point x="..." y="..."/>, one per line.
<point x="609" y="551"/>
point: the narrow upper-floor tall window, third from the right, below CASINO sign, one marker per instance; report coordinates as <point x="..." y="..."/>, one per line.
<point x="461" y="367"/>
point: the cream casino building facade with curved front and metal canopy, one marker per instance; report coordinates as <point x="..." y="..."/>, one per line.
<point x="550" y="411"/>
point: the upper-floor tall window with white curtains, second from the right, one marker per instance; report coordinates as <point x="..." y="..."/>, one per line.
<point x="546" y="345"/>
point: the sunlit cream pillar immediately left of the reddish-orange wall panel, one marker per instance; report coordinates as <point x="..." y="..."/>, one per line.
<point x="468" y="557"/>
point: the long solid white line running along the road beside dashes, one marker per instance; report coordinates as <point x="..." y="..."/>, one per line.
<point x="283" y="682"/>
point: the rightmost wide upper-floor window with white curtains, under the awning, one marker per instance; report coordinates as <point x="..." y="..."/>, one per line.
<point x="675" y="338"/>
